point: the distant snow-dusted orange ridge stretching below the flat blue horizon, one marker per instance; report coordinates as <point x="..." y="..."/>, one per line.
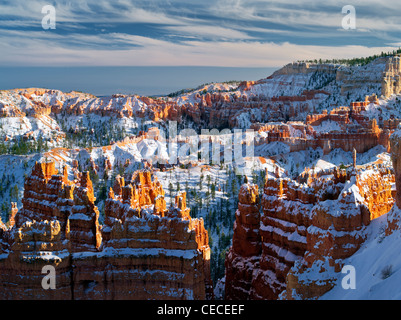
<point x="213" y="108"/>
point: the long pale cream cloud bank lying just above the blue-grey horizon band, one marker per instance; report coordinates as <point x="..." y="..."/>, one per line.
<point x="145" y="51"/>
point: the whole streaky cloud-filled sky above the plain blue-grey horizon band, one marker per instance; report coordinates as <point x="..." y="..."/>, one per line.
<point x="228" y="33"/>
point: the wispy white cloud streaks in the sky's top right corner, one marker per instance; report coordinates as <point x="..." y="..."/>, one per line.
<point x="371" y="14"/>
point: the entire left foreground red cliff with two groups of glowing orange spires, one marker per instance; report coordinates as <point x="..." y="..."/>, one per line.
<point x="144" y="250"/>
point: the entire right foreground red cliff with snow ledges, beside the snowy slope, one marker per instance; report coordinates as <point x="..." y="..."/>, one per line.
<point x="306" y="228"/>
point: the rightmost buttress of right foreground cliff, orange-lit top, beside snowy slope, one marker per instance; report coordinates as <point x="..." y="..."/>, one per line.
<point x="336" y="232"/>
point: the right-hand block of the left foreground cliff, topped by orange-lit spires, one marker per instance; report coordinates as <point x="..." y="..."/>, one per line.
<point x="138" y="243"/>
